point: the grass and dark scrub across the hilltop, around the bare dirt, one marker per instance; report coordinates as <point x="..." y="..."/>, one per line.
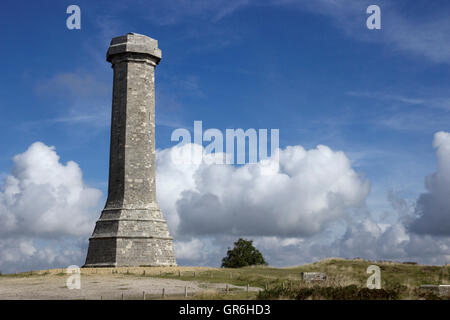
<point x="345" y="278"/>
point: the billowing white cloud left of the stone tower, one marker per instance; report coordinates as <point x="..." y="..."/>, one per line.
<point x="45" y="211"/>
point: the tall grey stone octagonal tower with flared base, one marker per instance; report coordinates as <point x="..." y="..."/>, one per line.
<point x="131" y="230"/>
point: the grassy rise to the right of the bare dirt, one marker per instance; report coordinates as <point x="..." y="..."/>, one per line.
<point x="398" y="280"/>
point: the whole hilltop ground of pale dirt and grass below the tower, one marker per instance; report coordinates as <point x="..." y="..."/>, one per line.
<point x="203" y="282"/>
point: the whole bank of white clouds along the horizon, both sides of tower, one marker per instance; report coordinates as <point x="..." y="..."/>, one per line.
<point x="293" y="215"/>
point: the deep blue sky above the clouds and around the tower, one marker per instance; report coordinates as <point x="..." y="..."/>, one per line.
<point x="311" y="69"/>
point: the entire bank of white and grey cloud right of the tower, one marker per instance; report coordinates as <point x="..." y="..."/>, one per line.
<point x="290" y="214"/>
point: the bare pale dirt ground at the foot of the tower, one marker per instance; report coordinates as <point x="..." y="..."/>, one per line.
<point x="96" y="286"/>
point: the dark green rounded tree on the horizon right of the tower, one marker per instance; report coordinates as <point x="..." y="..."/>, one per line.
<point x="243" y="254"/>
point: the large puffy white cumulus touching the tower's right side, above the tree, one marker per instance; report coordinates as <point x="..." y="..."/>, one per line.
<point x="310" y="190"/>
